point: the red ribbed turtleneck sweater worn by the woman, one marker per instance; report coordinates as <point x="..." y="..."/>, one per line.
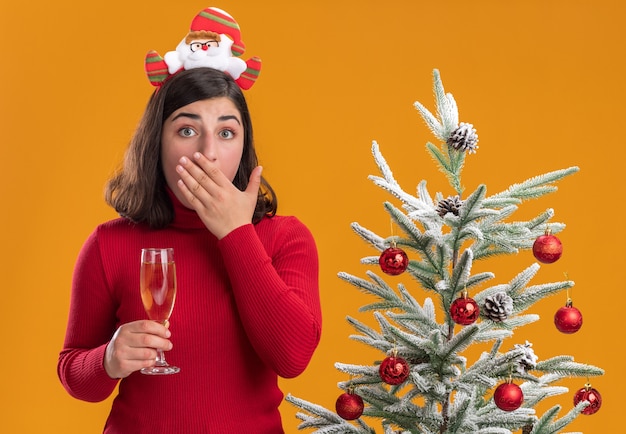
<point x="247" y="310"/>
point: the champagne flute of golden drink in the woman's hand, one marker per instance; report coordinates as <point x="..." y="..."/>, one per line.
<point x="158" y="293"/>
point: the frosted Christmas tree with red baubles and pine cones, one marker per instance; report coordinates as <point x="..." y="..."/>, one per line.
<point x="423" y="382"/>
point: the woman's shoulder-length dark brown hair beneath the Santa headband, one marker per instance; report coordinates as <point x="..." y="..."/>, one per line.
<point x="138" y="190"/>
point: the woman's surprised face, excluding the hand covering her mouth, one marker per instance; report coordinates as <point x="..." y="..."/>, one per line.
<point x="212" y="127"/>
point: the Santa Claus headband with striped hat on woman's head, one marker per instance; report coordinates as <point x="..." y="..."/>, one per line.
<point x="214" y="41"/>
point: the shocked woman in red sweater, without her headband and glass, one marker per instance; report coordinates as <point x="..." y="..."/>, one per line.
<point x="247" y="307"/>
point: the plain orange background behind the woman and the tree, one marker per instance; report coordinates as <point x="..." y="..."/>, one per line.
<point x="541" y="81"/>
